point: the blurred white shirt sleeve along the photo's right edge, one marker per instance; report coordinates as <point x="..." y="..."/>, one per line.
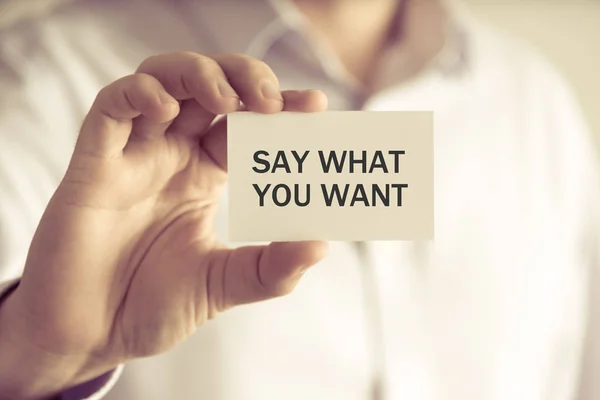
<point x="578" y="170"/>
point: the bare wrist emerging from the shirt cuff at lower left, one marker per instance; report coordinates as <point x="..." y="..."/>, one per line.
<point x="28" y="372"/>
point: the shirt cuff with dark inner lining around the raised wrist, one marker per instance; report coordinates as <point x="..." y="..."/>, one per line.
<point x="95" y="389"/>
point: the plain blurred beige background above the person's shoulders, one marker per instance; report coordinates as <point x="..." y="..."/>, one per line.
<point x="565" y="31"/>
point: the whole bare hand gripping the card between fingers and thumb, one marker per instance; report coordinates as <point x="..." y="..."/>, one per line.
<point x="124" y="262"/>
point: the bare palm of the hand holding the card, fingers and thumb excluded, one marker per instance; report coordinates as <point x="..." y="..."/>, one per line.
<point x="149" y="213"/>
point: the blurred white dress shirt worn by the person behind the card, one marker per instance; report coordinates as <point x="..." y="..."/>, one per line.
<point x="496" y="308"/>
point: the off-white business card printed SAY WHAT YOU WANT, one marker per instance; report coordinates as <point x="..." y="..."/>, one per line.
<point x="336" y="175"/>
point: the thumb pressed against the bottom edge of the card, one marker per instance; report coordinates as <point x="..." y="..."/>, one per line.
<point x="256" y="273"/>
